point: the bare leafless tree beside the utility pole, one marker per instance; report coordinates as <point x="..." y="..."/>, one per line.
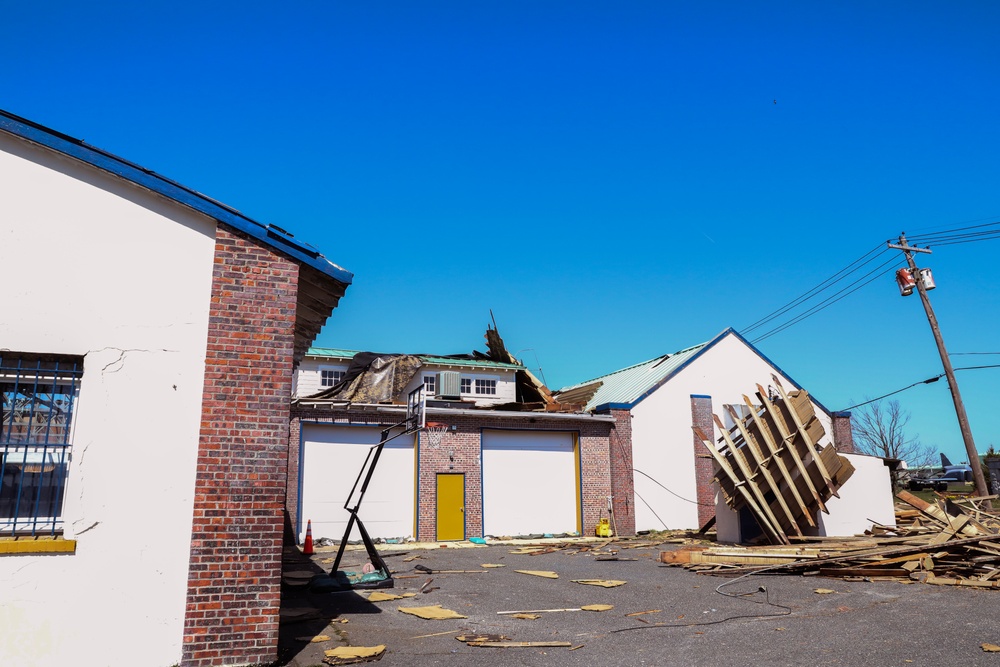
<point x="879" y="429"/>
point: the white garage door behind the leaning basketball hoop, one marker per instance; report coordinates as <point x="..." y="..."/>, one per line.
<point x="332" y="456"/>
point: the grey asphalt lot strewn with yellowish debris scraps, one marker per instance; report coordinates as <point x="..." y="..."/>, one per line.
<point x="764" y="619"/>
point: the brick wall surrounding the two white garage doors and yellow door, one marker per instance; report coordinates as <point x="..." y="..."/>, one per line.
<point x="460" y="452"/>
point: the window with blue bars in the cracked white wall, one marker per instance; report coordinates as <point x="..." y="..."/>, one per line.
<point x="37" y="394"/>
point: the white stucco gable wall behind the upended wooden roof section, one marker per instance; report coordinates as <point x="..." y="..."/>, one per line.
<point x="662" y="439"/>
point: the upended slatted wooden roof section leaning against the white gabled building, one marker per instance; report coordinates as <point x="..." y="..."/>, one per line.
<point x="770" y="463"/>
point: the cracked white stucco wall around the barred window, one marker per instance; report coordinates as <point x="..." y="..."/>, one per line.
<point x="95" y="267"/>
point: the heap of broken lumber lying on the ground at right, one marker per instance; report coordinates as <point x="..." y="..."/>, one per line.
<point x="943" y="543"/>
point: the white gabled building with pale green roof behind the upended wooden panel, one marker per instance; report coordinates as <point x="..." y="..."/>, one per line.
<point x="667" y="396"/>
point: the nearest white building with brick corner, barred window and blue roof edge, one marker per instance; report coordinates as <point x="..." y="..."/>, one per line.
<point x="147" y="345"/>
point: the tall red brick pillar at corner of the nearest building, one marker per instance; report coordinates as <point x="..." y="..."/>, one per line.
<point x="234" y="575"/>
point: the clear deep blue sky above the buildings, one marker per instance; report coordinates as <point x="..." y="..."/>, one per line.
<point x="614" y="182"/>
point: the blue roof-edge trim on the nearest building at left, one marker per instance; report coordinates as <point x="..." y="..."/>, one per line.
<point x="275" y="237"/>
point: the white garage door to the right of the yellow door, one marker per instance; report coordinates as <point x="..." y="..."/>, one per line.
<point x="530" y="483"/>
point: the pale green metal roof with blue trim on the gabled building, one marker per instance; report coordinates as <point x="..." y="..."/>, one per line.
<point x="629" y="386"/>
